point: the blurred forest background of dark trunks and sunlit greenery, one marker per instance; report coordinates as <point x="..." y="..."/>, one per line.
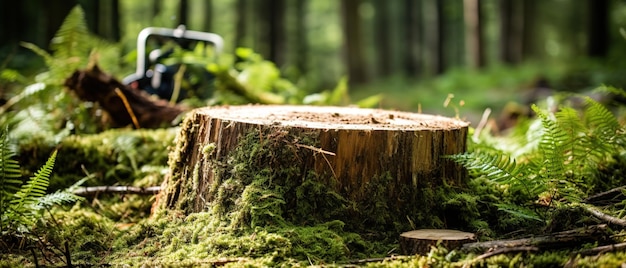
<point x="381" y="46"/>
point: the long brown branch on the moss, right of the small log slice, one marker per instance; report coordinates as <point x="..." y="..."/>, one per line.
<point x="556" y="240"/>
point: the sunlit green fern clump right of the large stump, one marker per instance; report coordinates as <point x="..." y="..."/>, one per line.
<point x="559" y="170"/>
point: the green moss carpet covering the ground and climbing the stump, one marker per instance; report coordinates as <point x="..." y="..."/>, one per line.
<point x="249" y="223"/>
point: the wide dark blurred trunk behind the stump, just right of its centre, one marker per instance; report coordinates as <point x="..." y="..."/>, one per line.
<point x="353" y="46"/>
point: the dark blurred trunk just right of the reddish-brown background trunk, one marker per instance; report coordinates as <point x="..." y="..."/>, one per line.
<point x="512" y="30"/>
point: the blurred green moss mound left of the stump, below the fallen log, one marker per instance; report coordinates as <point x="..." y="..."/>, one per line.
<point x="116" y="156"/>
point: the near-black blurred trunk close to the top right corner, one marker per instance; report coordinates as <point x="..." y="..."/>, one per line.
<point x="598" y="31"/>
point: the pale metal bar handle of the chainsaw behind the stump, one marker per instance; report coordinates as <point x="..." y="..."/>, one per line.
<point x="180" y="32"/>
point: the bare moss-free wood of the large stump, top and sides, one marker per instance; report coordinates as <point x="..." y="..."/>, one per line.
<point x="351" y="149"/>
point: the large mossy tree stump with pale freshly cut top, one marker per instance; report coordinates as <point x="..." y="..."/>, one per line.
<point x="369" y="168"/>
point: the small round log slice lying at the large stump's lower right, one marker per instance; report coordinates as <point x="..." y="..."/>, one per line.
<point x="420" y="241"/>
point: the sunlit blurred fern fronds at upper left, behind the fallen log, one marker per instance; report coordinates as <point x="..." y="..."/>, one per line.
<point x="43" y="108"/>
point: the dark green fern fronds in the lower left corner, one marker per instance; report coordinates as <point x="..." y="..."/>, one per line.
<point x="23" y="204"/>
